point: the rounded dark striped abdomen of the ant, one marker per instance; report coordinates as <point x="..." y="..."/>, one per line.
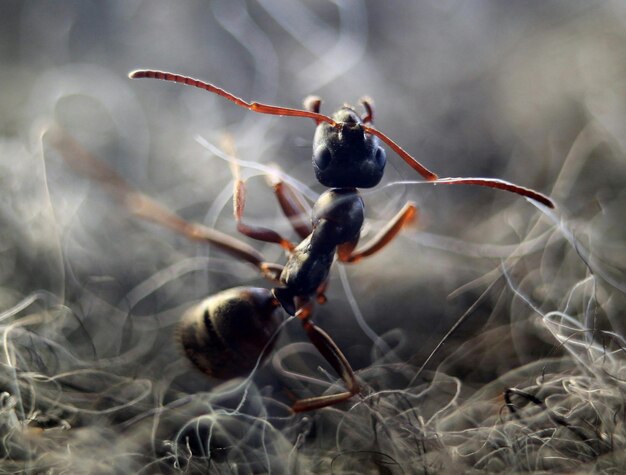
<point x="227" y="334"/>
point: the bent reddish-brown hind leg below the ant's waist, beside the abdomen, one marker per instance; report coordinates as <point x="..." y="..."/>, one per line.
<point x="331" y="352"/>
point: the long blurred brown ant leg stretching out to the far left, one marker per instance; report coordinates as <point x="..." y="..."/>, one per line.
<point x="146" y="208"/>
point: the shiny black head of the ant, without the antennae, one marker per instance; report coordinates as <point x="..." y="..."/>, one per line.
<point x="344" y="156"/>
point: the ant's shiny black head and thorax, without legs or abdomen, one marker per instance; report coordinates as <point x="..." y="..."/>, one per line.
<point x="344" y="159"/>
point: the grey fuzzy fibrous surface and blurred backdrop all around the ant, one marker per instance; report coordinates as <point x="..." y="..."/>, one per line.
<point x="532" y="381"/>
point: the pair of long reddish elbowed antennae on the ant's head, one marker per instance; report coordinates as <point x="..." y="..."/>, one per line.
<point x="318" y="118"/>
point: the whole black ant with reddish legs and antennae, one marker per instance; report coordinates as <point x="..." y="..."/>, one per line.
<point x="229" y="333"/>
